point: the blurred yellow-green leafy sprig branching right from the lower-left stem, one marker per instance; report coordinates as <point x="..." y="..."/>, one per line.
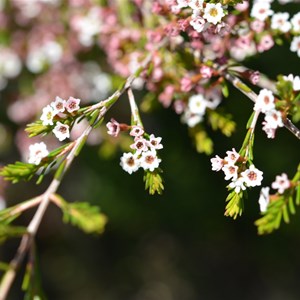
<point x="82" y="215"/>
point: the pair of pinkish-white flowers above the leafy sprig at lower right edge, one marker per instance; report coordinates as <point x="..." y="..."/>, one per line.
<point x="281" y="184"/>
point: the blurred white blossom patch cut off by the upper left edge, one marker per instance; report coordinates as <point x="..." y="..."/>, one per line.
<point x="10" y="66"/>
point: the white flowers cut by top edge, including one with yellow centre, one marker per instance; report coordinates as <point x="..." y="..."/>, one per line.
<point x="202" y="16"/>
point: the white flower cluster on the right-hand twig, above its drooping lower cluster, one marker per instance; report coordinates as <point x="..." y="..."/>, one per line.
<point x="265" y="103"/>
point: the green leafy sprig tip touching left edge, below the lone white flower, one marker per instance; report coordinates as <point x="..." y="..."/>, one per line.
<point x="18" y="171"/>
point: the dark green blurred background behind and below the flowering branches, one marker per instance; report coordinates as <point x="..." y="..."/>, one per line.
<point x="177" y="246"/>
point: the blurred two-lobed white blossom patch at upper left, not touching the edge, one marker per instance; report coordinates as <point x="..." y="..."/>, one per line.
<point x="47" y="54"/>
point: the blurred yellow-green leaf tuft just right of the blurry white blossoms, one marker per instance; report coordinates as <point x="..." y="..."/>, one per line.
<point x="222" y="121"/>
